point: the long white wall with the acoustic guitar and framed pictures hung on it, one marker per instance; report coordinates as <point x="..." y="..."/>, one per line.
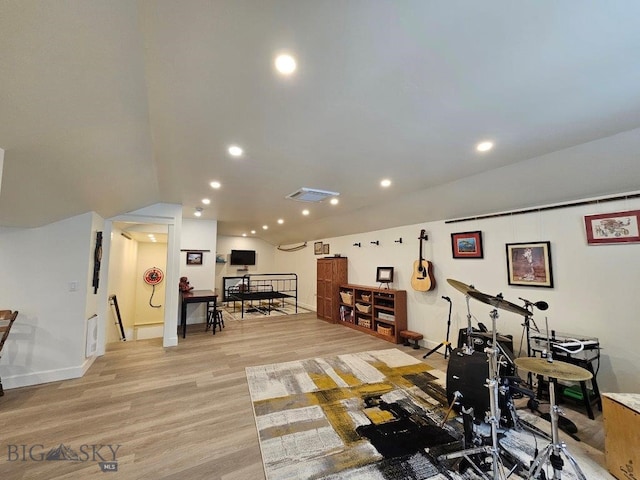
<point x="594" y="293"/>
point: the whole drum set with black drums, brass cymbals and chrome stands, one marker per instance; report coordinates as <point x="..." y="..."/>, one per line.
<point x="482" y="452"/>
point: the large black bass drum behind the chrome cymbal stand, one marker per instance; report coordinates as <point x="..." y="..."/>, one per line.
<point x="468" y="374"/>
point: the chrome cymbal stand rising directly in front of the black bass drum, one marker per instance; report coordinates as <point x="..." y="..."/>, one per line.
<point x="493" y="414"/>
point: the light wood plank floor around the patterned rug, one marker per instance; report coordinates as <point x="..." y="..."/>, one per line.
<point x="181" y="412"/>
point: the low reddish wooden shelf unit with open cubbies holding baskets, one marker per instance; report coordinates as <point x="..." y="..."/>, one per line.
<point x="377" y="311"/>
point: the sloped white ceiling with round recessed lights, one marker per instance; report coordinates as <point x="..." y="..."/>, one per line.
<point x="111" y="106"/>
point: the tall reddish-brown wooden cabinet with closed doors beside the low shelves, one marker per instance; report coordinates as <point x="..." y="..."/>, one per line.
<point x="331" y="273"/>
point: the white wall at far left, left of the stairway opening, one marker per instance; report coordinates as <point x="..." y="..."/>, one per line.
<point x="39" y="265"/>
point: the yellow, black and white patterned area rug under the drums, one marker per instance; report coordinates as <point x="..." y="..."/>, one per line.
<point x="374" y="415"/>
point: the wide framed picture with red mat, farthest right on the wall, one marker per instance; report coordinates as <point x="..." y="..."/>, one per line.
<point x="621" y="227"/>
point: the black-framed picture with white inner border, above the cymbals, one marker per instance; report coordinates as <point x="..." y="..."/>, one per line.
<point x="529" y="264"/>
